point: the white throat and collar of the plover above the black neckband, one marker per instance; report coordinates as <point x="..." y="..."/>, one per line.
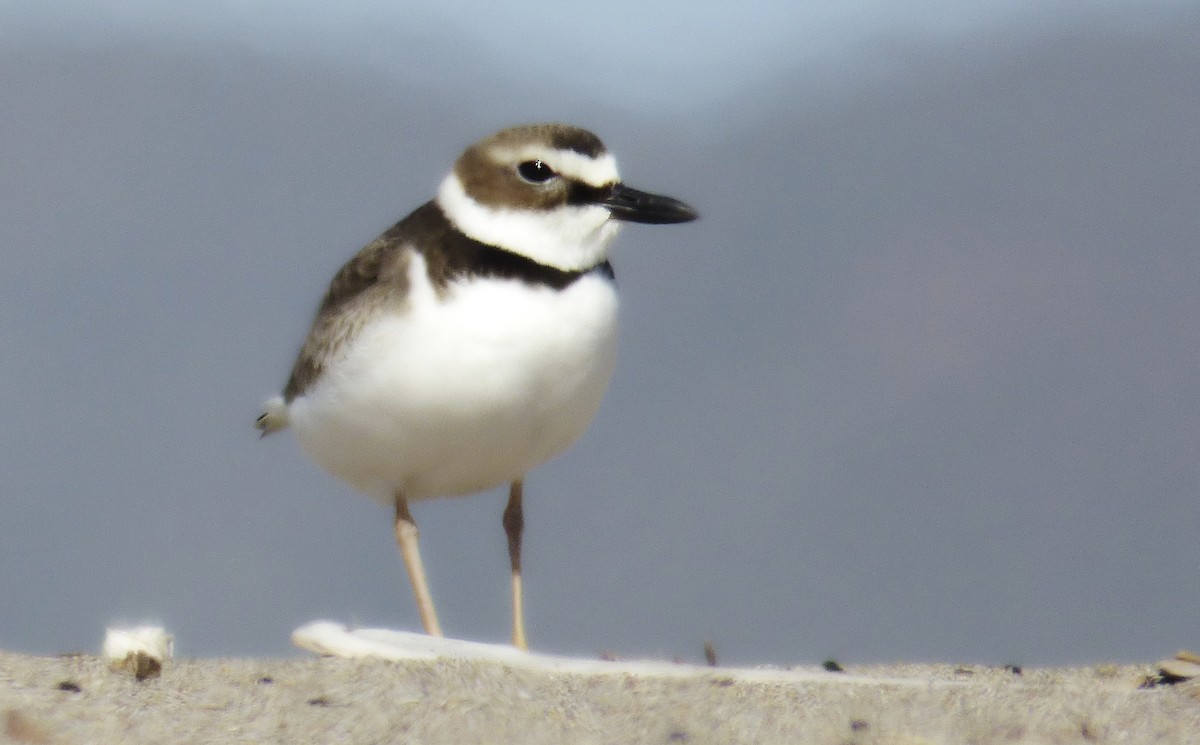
<point x="569" y="238"/>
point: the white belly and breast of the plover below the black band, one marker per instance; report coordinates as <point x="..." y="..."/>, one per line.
<point x="463" y="393"/>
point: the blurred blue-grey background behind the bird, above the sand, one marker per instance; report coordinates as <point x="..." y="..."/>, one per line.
<point x="922" y="384"/>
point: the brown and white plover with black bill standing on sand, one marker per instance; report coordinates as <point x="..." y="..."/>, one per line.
<point x="475" y="340"/>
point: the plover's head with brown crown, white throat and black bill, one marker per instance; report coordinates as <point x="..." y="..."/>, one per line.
<point x="550" y="193"/>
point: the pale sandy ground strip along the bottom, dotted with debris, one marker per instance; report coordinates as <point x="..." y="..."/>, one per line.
<point x="75" y="700"/>
